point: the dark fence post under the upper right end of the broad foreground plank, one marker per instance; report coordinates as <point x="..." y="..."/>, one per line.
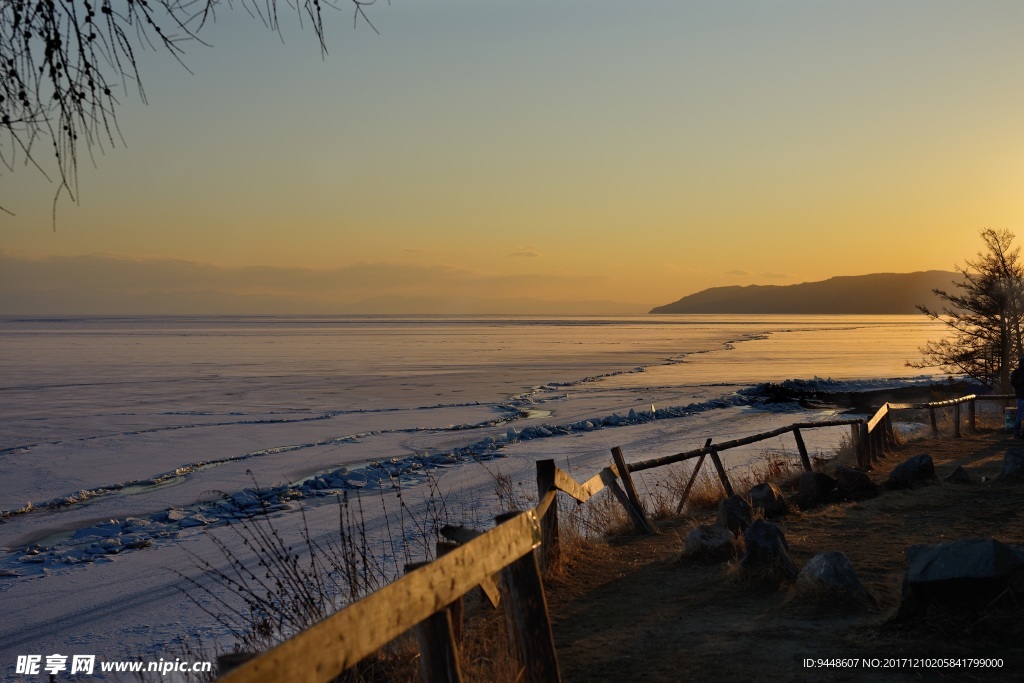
<point x="527" y="617"/>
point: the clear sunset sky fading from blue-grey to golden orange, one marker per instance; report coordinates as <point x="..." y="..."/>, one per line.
<point x="622" y="155"/>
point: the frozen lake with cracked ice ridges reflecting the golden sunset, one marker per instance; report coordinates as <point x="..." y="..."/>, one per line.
<point x="127" y="419"/>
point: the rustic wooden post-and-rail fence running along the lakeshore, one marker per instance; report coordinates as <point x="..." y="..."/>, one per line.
<point x="429" y="599"/>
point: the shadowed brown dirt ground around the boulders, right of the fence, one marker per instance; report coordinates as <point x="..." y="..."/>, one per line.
<point x="633" y="611"/>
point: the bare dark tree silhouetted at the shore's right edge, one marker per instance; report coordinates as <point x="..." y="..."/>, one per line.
<point x="985" y="316"/>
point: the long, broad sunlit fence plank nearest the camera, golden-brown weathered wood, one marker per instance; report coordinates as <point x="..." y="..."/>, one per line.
<point x="348" y="636"/>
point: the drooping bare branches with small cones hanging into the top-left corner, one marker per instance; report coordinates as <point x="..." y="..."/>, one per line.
<point x="67" y="63"/>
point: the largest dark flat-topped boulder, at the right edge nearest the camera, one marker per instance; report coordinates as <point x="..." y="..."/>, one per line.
<point x="966" y="574"/>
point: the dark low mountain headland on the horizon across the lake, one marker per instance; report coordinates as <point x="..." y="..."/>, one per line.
<point x="878" y="293"/>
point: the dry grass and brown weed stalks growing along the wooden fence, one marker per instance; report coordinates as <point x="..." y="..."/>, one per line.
<point x="345" y="572"/>
